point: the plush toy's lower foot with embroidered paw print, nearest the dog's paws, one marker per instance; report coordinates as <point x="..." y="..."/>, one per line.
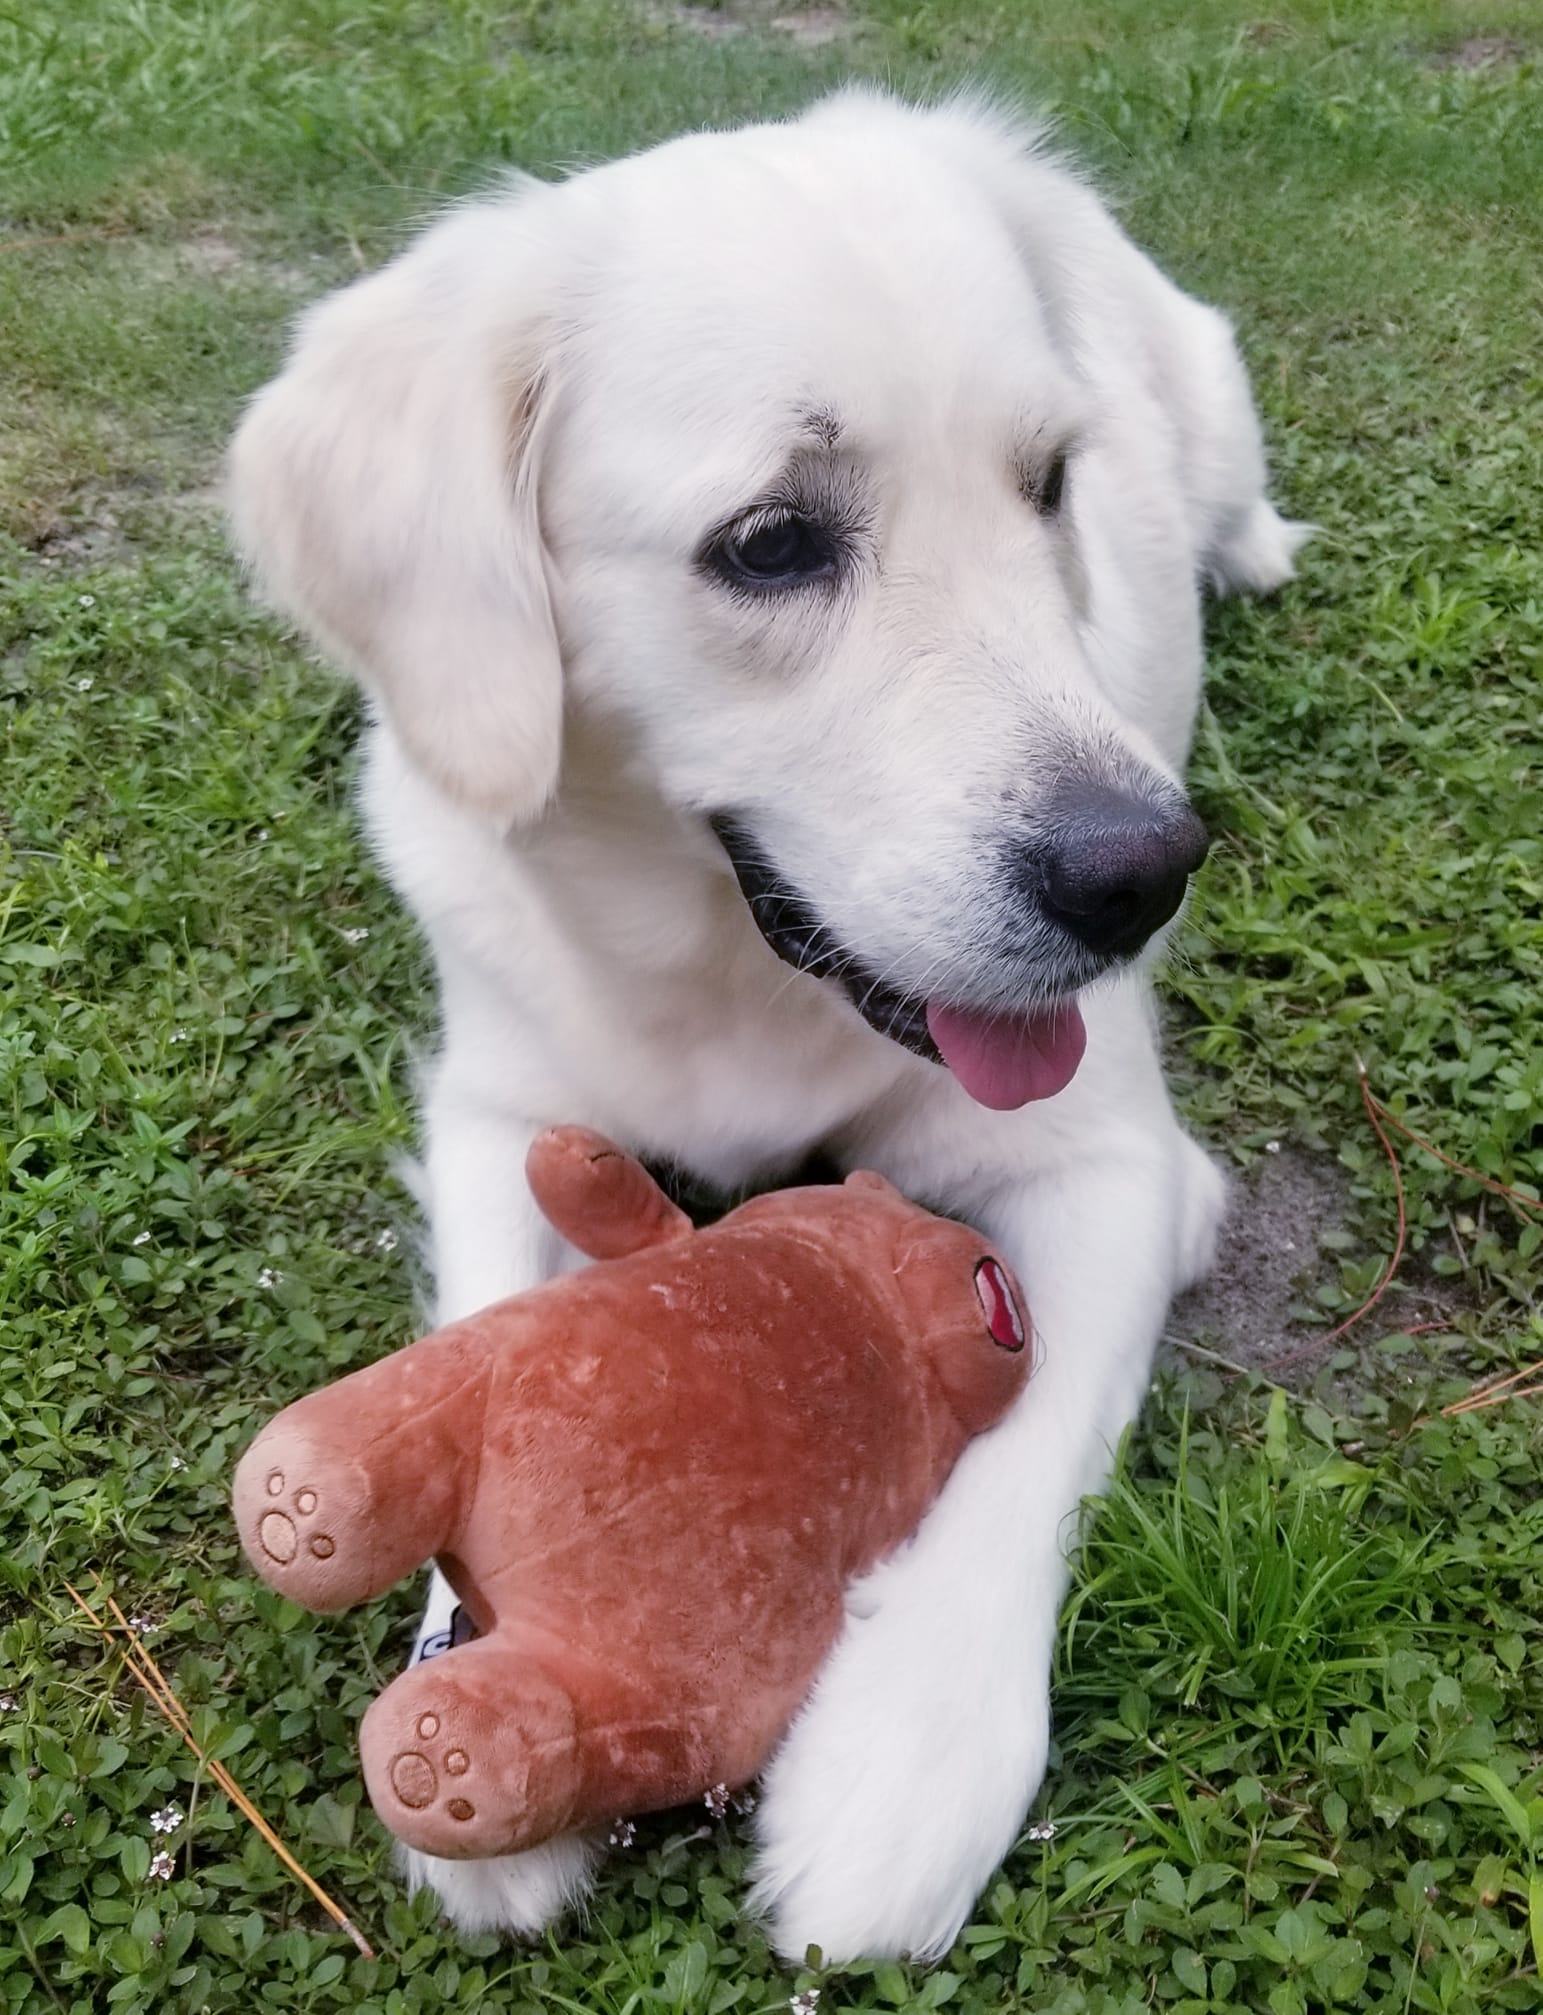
<point x="470" y="1754"/>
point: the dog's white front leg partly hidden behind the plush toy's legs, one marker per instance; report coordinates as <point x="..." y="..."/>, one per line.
<point x="490" y="1240"/>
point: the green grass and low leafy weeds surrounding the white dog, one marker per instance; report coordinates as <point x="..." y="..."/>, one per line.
<point x="1300" y="1708"/>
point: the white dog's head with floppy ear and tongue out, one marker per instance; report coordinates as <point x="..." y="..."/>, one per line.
<point x="768" y="454"/>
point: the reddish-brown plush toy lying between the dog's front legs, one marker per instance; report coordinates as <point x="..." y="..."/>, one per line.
<point x="648" y="1482"/>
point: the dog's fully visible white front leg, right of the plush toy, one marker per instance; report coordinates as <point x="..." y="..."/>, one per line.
<point x="909" y="1774"/>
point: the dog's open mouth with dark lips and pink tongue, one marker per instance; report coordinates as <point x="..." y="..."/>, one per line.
<point x="1004" y="1061"/>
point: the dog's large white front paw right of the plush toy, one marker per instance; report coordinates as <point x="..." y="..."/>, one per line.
<point x="903" y="1784"/>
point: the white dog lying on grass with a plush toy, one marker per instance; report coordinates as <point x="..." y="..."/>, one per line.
<point x="777" y="567"/>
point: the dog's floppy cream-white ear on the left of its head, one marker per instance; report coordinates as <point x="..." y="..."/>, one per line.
<point x="384" y="491"/>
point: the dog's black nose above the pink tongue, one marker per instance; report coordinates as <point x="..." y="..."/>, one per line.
<point x="1119" y="865"/>
